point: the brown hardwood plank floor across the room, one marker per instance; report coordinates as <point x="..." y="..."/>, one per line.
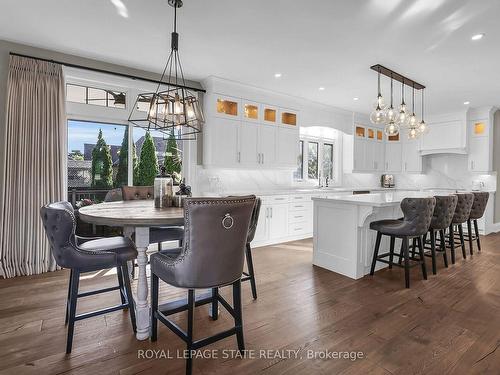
<point x="449" y="324"/>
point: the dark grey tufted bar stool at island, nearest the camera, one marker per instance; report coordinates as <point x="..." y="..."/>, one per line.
<point x="415" y="223"/>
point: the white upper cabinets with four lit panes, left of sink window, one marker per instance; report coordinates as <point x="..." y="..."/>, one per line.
<point x="245" y="133"/>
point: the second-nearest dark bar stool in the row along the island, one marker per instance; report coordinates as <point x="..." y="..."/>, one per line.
<point x="441" y="220"/>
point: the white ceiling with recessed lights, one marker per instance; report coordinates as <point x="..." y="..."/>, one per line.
<point x="329" y="43"/>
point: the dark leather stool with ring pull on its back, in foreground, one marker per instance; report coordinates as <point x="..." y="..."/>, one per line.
<point x="212" y="257"/>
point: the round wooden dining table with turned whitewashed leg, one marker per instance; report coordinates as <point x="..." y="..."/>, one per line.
<point x="135" y="216"/>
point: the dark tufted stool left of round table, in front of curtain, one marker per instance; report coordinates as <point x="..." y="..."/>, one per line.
<point x="84" y="255"/>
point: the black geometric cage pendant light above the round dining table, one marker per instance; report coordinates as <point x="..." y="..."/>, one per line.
<point x="173" y="109"/>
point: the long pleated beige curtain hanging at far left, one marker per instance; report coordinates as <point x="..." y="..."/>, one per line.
<point x="34" y="174"/>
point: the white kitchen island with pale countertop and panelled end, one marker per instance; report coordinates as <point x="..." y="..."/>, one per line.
<point x="343" y="241"/>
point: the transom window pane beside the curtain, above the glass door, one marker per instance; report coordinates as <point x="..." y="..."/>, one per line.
<point x="95" y="96"/>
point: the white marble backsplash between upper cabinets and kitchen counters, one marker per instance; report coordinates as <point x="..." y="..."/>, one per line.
<point x="440" y="171"/>
